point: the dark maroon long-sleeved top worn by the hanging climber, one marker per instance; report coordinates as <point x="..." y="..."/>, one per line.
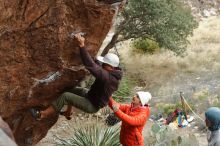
<point x="106" y="82"/>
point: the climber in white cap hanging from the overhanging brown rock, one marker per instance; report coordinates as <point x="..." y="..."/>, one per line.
<point x="107" y="77"/>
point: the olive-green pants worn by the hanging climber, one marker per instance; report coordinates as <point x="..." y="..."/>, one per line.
<point x="77" y="98"/>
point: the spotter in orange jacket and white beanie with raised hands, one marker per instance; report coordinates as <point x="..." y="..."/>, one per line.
<point x="133" y="116"/>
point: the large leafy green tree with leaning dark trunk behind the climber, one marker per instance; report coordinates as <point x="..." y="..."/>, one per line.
<point x="167" y="22"/>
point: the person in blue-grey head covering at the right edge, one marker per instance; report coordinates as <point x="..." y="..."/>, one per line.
<point x="212" y="121"/>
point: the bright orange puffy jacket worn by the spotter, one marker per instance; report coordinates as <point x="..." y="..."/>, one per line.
<point x="133" y="121"/>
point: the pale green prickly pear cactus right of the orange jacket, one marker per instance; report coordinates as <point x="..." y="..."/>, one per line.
<point x="163" y="136"/>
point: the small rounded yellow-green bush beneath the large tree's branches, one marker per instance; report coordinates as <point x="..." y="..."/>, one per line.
<point x="145" y="46"/>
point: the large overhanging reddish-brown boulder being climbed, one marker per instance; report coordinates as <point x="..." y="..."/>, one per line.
<point x="38" y="58"/>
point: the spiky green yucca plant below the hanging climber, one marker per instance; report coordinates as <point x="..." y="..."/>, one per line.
<point x="93" y="135"/>
